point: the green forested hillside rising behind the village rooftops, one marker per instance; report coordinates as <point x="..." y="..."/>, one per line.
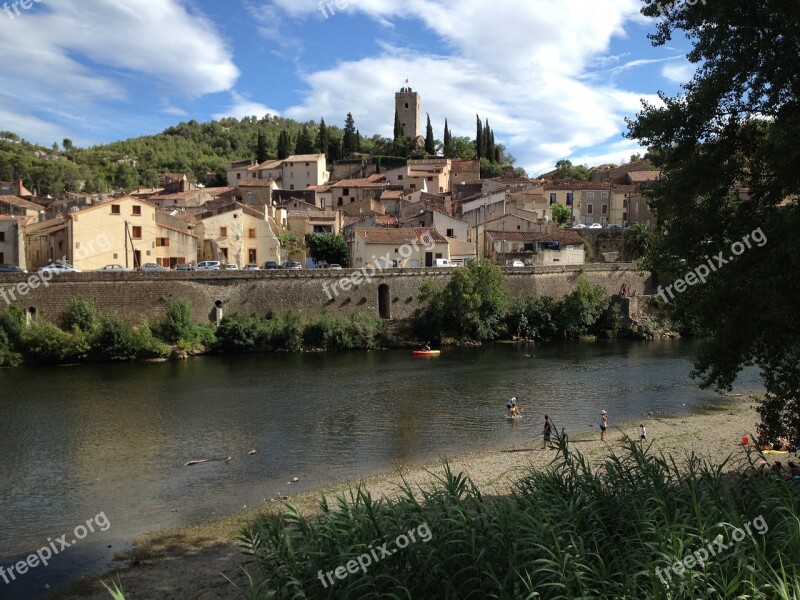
<point x="201" y="148"/>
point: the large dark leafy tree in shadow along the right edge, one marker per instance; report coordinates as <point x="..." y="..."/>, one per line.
<point x="728" y="153"/>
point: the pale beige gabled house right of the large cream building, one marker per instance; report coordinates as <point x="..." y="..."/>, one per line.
<point x="240" y="235"/>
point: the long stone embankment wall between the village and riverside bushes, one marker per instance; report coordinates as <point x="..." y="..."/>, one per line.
<point x="133" y="295"/>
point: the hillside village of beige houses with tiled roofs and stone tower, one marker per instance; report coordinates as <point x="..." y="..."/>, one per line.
<point x="260" y="220"/>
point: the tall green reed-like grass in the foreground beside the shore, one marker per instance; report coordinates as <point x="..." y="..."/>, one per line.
<point x="563" y="533"/>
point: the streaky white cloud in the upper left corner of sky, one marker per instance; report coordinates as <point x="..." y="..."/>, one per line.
<point x="78" y="60"/>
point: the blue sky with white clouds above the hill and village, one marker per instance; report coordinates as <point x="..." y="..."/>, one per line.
<point x="555" y="78"/>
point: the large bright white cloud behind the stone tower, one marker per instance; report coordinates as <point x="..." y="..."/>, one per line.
<point x="525" y="66"/>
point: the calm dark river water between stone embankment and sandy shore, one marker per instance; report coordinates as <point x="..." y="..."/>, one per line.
<point x="110" y="443"/>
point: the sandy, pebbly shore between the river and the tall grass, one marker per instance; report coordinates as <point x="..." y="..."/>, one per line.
<point x="188" y="562"/>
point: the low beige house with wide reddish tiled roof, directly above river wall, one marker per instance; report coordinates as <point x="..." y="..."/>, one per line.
<point x="403" y="248"/>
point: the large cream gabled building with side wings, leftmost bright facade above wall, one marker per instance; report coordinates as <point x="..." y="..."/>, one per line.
<point x="121" y="231"/>
